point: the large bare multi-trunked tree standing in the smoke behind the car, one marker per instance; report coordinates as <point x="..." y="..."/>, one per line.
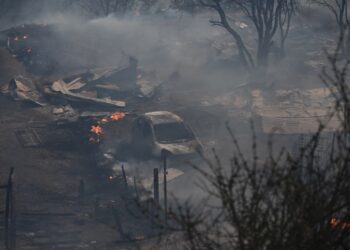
<point x="267" y="16"/>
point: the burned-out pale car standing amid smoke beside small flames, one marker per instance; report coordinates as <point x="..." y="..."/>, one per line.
<point x="163" y="132"/>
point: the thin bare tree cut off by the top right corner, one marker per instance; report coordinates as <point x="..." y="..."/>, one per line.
<point x="339" y="9"/>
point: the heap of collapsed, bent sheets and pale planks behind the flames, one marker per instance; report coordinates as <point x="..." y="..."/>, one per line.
<point x="97" y="89"/>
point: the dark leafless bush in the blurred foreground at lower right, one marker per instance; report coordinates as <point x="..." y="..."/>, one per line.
<point x="286" y="201"/>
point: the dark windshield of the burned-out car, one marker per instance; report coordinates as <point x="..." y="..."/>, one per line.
<point x="172" y="132"/>
